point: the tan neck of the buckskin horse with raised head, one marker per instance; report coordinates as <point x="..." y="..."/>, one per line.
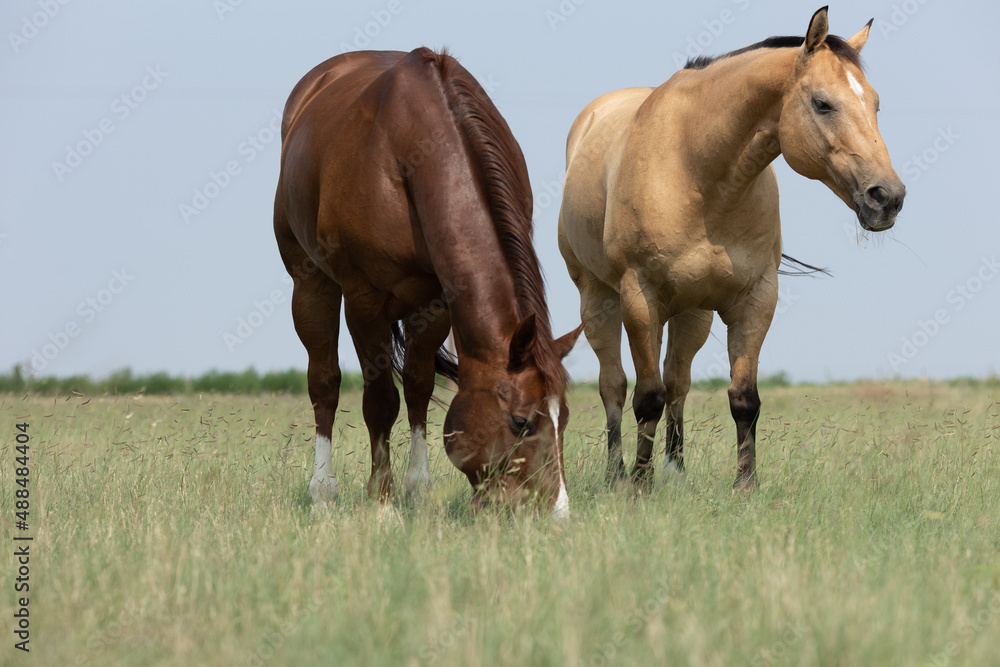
<point x="738" y="138"/>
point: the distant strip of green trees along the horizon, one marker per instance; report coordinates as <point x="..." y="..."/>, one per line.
<point x="292" y="381"/>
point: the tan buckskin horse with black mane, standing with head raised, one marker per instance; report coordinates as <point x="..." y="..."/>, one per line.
<point x="670" y="212"/>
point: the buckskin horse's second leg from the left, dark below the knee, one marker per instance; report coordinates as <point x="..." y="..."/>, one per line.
<point x="644" y="326"/>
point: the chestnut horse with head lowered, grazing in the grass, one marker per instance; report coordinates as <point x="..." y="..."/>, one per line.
<point x="404" y="195"/>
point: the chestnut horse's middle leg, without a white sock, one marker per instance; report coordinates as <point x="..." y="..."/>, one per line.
<point x="380" y="401"/>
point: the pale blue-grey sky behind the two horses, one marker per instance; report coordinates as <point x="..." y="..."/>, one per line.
<point x="116" y="115"/>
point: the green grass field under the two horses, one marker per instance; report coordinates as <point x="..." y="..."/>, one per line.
<point x="177" y="531"/>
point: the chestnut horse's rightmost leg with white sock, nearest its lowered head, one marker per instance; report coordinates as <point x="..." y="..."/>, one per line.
<point x="422" y="344"/>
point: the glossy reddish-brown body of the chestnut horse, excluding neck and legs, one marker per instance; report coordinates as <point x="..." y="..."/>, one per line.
<point x="347" y="136"/>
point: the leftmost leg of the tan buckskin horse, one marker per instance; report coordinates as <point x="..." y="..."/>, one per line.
<point x="601" y="312"/>
